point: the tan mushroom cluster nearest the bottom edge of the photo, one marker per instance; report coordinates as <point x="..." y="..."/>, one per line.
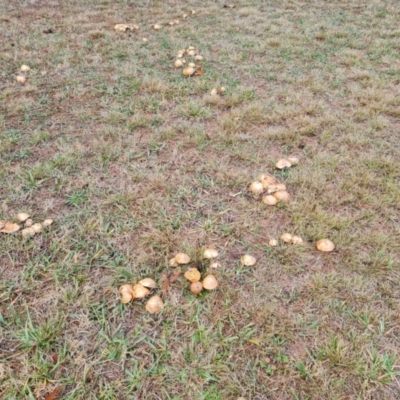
<point x="139" y="291"/>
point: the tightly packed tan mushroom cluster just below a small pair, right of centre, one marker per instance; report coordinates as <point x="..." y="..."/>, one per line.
<point x="273" y="191"/>
